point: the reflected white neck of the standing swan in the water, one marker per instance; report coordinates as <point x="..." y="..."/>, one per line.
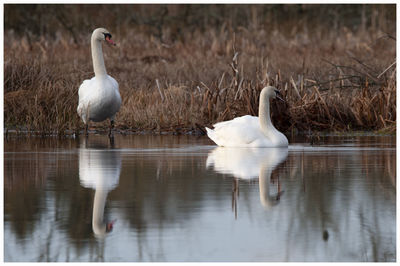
<point x="98" y="225"/>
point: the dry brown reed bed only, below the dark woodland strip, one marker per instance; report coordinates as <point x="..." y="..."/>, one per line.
<point x="331" y="80"/>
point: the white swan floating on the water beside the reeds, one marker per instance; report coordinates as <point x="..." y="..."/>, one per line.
<point x="250" y="131"/>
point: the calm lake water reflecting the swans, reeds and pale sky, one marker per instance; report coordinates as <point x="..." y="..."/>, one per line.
<point x="170" y="198"/>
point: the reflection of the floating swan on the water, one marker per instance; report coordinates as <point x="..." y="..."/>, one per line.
<point x="250" y="163"/>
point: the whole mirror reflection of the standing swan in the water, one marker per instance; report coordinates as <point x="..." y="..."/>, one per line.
<point x="99" y="169"/>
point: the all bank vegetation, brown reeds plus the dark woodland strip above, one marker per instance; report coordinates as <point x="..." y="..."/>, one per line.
<point x="183" y="67"/>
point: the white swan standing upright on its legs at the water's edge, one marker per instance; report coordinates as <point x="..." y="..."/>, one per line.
<point x="99" y="97"/>
